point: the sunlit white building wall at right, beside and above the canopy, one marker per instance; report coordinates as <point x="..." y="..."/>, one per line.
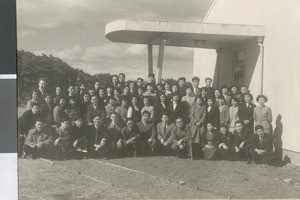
<point x="281" y="58"/>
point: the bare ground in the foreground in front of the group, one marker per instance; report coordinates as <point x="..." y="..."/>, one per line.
<point x="154" y="178"/>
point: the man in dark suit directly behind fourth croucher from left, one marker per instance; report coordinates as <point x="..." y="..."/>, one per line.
<point x="95" y="109"/>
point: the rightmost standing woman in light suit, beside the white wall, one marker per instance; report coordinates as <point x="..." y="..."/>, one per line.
<point x="262" y="114"/>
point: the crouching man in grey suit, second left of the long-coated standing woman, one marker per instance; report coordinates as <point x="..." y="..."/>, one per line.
<point x="164" y="130"/>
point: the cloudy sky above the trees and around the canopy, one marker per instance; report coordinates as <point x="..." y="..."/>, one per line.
<point x="73" y="30"/>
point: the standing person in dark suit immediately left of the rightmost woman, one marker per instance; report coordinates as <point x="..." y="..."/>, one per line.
<point x="245" y="112"/>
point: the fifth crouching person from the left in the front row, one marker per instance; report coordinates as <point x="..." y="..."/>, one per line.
<point x="114" y="135"/>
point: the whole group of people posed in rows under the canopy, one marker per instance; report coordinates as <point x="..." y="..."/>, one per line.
<point x="141" y="118"/>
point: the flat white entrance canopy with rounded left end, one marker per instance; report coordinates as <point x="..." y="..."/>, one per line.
<point x="182" y="34"/>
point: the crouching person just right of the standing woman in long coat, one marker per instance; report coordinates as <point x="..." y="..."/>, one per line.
<point x="210" y="141"/>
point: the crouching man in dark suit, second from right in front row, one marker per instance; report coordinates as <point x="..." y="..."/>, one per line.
<point x="241" y="142"/>
